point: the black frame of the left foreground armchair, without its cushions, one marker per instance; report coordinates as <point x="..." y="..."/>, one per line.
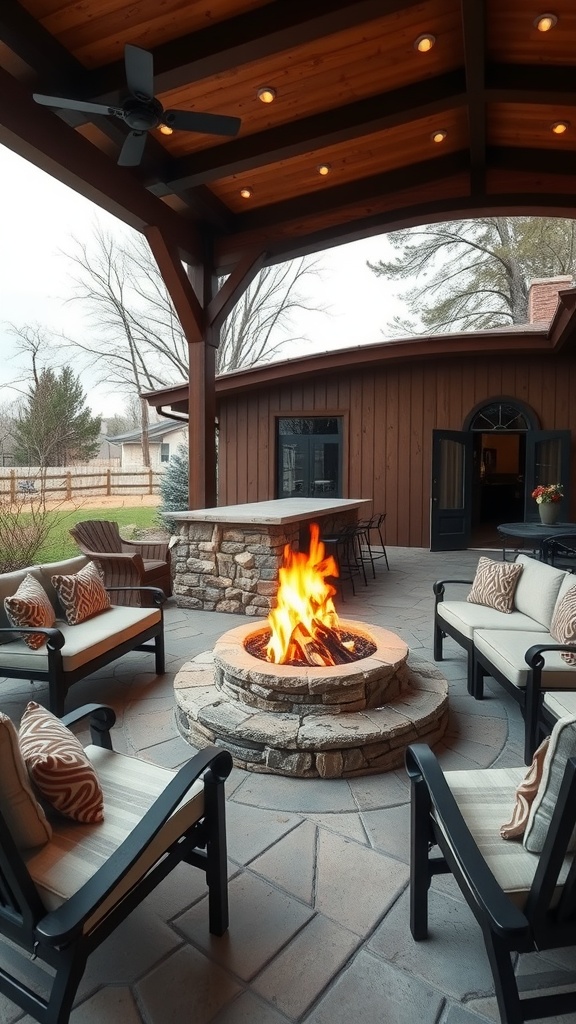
<point x="58" y="937"/>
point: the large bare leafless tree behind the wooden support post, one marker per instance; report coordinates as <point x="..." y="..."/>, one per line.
<point x="136" y="342"/>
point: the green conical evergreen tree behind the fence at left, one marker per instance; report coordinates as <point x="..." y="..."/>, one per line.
<point x="56" y="428"/>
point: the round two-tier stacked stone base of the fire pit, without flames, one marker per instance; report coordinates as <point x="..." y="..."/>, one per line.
<point x="292" y="735"/>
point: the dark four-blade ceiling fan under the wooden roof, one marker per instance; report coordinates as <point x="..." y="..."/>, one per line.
<point x="142" y="111"/>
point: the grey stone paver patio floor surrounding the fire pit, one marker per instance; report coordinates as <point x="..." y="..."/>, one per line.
<point x="318" y="868"/>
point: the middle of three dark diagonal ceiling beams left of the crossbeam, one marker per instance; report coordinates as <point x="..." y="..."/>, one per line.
<point x="341" y="125"/>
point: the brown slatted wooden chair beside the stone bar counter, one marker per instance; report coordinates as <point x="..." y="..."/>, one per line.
<point x="126" y="564"/>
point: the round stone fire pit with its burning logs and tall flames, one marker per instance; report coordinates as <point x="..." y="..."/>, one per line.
<point x="308" y="695"/>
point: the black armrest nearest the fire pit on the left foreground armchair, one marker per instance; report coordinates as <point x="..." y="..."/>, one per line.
<point x="62" y="925"/>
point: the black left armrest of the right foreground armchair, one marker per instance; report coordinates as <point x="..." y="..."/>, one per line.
<point x="423" y="765"/>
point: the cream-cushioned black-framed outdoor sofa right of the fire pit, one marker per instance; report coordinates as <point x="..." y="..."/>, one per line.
<point x="516" y="649"/>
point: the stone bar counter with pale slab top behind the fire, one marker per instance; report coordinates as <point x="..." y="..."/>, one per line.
<point x="227" y="559"/>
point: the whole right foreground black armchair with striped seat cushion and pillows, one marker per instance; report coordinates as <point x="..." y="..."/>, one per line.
<point x="521" y="889"/>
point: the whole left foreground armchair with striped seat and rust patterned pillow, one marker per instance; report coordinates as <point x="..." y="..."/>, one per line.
<point x="68" y="882"/>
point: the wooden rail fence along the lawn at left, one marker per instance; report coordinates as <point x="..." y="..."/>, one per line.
<point x="69" y="483"/>
